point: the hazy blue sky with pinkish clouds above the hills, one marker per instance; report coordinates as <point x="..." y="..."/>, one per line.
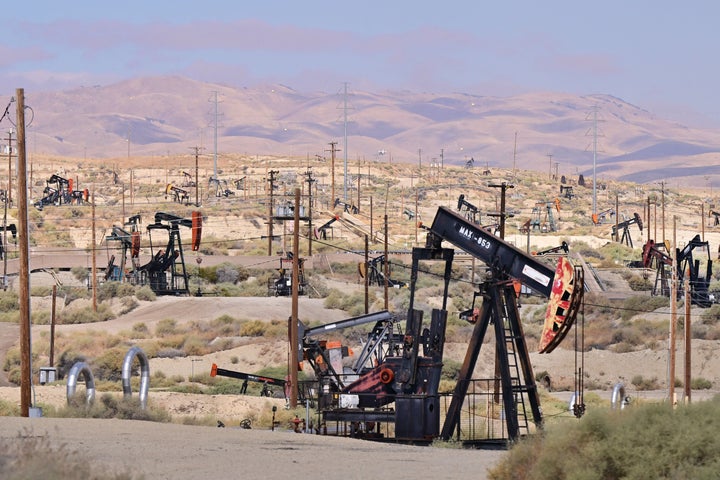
<point x="659" y="55"/>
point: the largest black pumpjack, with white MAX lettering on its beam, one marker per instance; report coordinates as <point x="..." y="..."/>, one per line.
<point x="400" y="387"/>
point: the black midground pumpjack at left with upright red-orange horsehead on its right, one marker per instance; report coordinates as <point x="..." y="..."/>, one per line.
<point x="165" y="272"/>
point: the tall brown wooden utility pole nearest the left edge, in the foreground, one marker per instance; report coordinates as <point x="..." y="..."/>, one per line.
<point x="24" y="251"/>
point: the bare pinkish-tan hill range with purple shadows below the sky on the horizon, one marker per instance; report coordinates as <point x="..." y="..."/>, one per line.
<point x="543" y="131"/>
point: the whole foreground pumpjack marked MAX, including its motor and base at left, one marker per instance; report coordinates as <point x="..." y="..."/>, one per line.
<point x="391" y="389"/>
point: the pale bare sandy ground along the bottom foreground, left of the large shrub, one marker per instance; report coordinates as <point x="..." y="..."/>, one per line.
<point x="178" y="452"/>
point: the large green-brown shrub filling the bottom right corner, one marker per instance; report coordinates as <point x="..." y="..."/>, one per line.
<point x="648" y="441"/>
